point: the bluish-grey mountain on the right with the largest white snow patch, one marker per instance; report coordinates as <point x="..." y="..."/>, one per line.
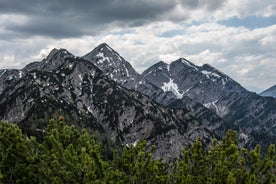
<point x="253" y="116"/>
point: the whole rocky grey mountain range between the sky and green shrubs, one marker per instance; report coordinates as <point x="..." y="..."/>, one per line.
<point x="169" y="105"/>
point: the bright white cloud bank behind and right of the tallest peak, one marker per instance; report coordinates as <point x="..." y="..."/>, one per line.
<point x="245" y="55"/>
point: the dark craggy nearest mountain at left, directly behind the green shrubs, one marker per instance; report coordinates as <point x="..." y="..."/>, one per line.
<point x="63" y="84"/>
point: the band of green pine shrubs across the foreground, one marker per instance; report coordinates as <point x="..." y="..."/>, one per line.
<point x="65" y="154"/>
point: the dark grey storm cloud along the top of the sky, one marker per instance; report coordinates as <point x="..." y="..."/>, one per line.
<point x="71" y="18"/>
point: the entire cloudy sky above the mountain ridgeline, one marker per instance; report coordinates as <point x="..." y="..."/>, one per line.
<point x="236" y="36"/>
